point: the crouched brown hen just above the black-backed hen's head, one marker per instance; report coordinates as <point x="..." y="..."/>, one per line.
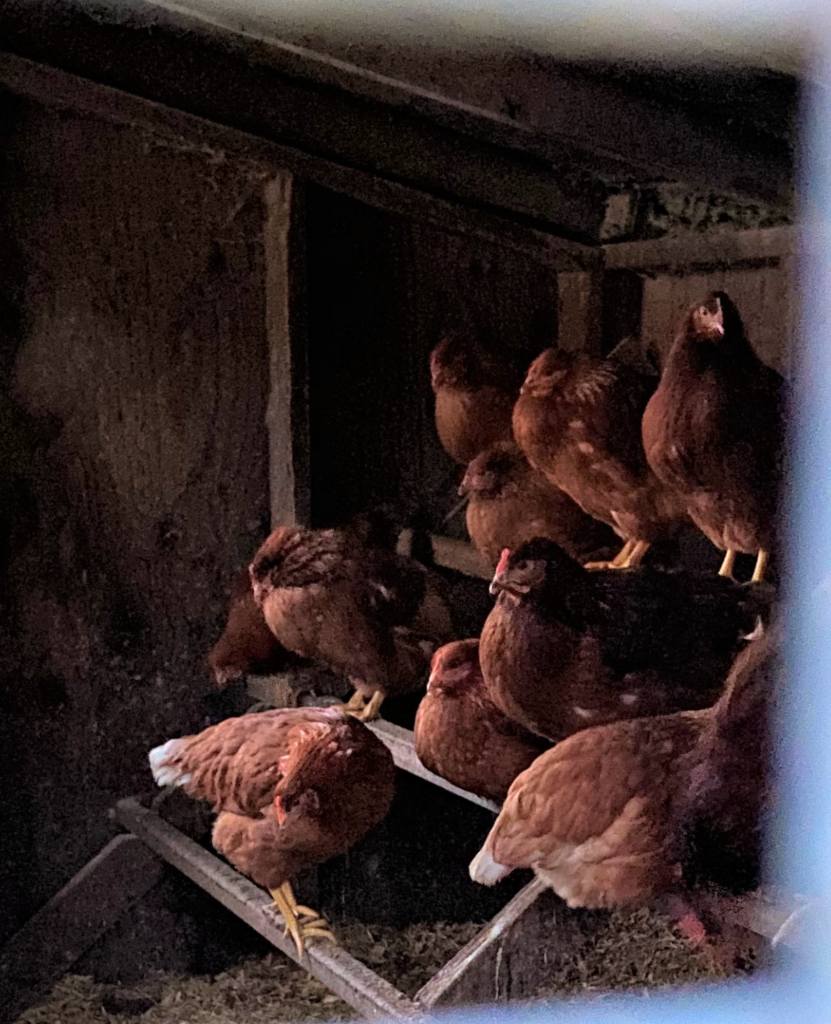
<point x="510" y="502"/>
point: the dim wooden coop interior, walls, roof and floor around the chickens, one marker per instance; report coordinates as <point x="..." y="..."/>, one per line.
<point x="227" y="259"/>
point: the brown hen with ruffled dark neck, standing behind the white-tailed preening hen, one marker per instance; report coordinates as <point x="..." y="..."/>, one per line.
<point x="373" y="615"/>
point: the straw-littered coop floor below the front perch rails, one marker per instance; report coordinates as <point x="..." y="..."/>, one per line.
<point x="638" y="951"/>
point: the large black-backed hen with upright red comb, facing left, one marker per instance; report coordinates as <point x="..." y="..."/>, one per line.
<point x="564" y="649"/>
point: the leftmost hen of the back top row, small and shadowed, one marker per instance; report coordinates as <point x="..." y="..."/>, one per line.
<point x="475" y="394"/>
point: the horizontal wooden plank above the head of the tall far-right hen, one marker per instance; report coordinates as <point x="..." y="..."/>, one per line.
<point x="709" y="250"/>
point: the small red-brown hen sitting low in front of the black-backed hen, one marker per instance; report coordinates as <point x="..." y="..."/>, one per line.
<point x="462" y="736"/>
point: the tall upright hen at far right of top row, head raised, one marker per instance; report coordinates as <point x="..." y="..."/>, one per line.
<point x="715" y="433"/>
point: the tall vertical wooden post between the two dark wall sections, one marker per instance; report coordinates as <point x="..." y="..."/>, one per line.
<point x="288" y="416"/>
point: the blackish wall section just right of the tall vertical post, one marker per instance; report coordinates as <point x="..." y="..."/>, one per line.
<point x="383" y="290"/>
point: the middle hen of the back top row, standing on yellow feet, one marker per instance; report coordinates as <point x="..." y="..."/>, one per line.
<point x="579" y="421"/>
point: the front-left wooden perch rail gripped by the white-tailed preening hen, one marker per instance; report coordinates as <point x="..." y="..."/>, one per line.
<point x="357" y="985"/>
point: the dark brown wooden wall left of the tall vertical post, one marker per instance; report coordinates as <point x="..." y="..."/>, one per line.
<point x="135" y="390"/>
